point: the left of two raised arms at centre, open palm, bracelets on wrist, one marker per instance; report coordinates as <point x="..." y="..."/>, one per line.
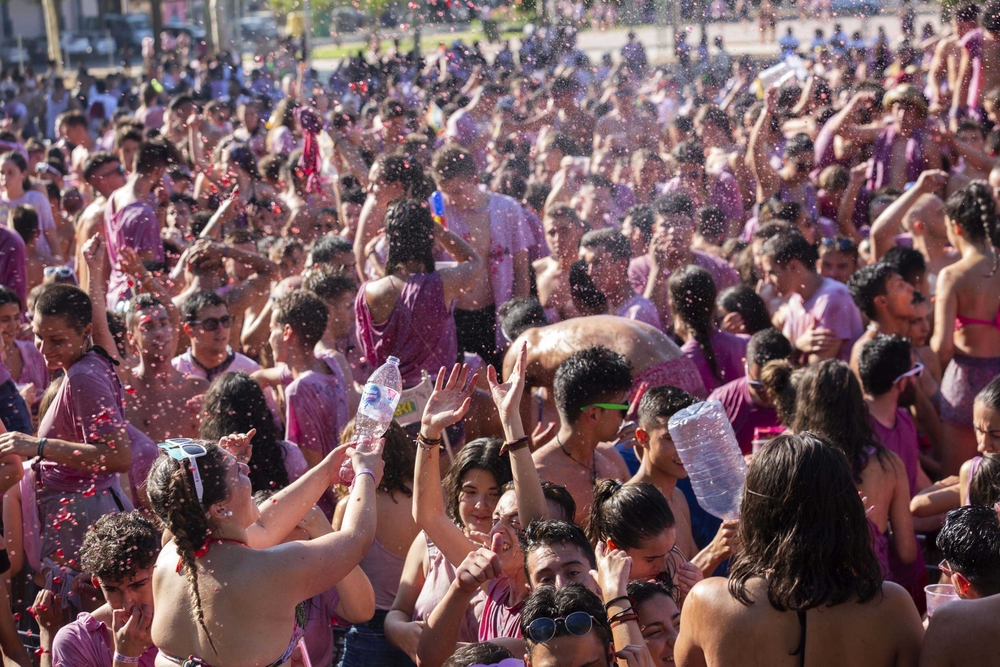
<point x="446" y="406"/>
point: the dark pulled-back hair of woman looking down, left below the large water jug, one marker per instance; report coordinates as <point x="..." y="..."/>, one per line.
<point x="628" y="514"/>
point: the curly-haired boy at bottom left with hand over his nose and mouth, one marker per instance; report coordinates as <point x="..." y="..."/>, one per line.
<point x="119" y="552"/>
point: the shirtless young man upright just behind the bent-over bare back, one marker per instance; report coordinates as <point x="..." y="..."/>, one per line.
<point x="563" y="231"/>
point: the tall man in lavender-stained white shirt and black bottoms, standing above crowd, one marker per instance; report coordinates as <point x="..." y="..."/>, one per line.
<point x="495" y="226"/>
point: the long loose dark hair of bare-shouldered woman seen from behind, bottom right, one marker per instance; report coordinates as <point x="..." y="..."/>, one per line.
<point x="804" y="529"/>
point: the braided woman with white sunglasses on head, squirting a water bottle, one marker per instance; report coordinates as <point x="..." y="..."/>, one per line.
<point x="226" y="589"/>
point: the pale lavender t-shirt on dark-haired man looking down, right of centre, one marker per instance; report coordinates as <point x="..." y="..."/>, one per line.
<point x="831" y="307"/>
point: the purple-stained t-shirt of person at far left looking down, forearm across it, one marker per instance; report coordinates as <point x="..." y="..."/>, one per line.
<point x="89" y="404"/>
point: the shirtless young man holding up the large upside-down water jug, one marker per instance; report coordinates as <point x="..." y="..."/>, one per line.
<point x="662" y="467"/>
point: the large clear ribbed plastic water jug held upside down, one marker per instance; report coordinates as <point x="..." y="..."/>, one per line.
<point x="707" y="446"/>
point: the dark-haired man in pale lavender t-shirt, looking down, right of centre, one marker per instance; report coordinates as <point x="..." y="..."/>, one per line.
<point x="822" y="321"/>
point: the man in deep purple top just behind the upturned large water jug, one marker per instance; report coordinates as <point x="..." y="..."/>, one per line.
<point x="745" y="399"/>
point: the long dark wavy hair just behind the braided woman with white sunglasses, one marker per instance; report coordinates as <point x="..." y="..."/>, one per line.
<point x="234" y="403"/>
